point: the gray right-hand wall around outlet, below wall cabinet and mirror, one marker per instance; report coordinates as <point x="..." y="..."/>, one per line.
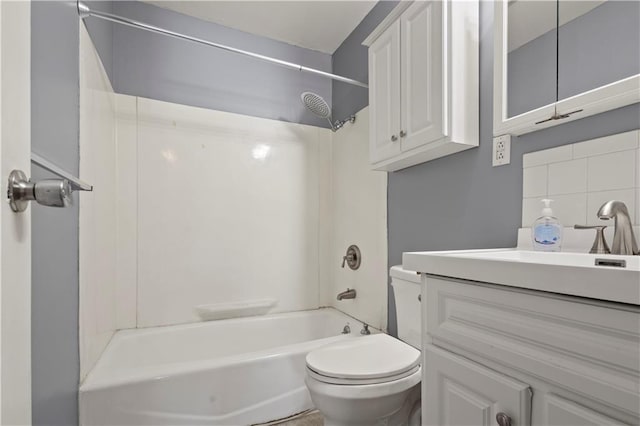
<point x="460" y="201"/>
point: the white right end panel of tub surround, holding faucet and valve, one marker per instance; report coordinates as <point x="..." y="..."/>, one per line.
<point x="358" y="216"/>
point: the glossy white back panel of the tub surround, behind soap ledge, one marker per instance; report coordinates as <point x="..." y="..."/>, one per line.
<point x="245" y="225"/>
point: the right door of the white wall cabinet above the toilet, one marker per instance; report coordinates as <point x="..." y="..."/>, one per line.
<point x="421" y="68"/>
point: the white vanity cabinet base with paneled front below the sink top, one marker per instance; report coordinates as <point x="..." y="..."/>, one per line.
<point x="537" y="357"/>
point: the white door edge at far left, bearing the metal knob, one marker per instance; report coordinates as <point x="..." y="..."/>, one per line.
<point x="15" y="242"/>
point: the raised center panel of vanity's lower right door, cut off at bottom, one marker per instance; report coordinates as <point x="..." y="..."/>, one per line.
<point x="562" y="412"/>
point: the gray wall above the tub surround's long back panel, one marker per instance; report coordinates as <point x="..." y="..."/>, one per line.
<point x="158" y="67"/>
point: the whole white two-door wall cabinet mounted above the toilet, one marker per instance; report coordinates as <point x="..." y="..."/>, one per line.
<point x="423" y="83"/>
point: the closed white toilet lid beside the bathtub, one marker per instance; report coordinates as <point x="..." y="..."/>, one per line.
<point x="369" y="357"/>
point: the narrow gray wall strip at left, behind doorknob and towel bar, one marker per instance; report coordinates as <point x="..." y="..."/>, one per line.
<point x="54" y="127"/>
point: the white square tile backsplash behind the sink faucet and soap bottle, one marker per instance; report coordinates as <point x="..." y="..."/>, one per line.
<point x="581" y="177"/>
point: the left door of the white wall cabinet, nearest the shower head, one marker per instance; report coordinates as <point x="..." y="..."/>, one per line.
<point x="384" y="95"/>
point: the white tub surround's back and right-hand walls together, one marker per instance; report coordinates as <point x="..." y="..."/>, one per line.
<point x="292" y="175"/>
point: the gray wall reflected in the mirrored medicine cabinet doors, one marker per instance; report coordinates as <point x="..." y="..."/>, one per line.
<point x="596" y="48"/>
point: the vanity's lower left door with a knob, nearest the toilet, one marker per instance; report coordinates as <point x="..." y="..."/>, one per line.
<point x="459" y="392"/>
